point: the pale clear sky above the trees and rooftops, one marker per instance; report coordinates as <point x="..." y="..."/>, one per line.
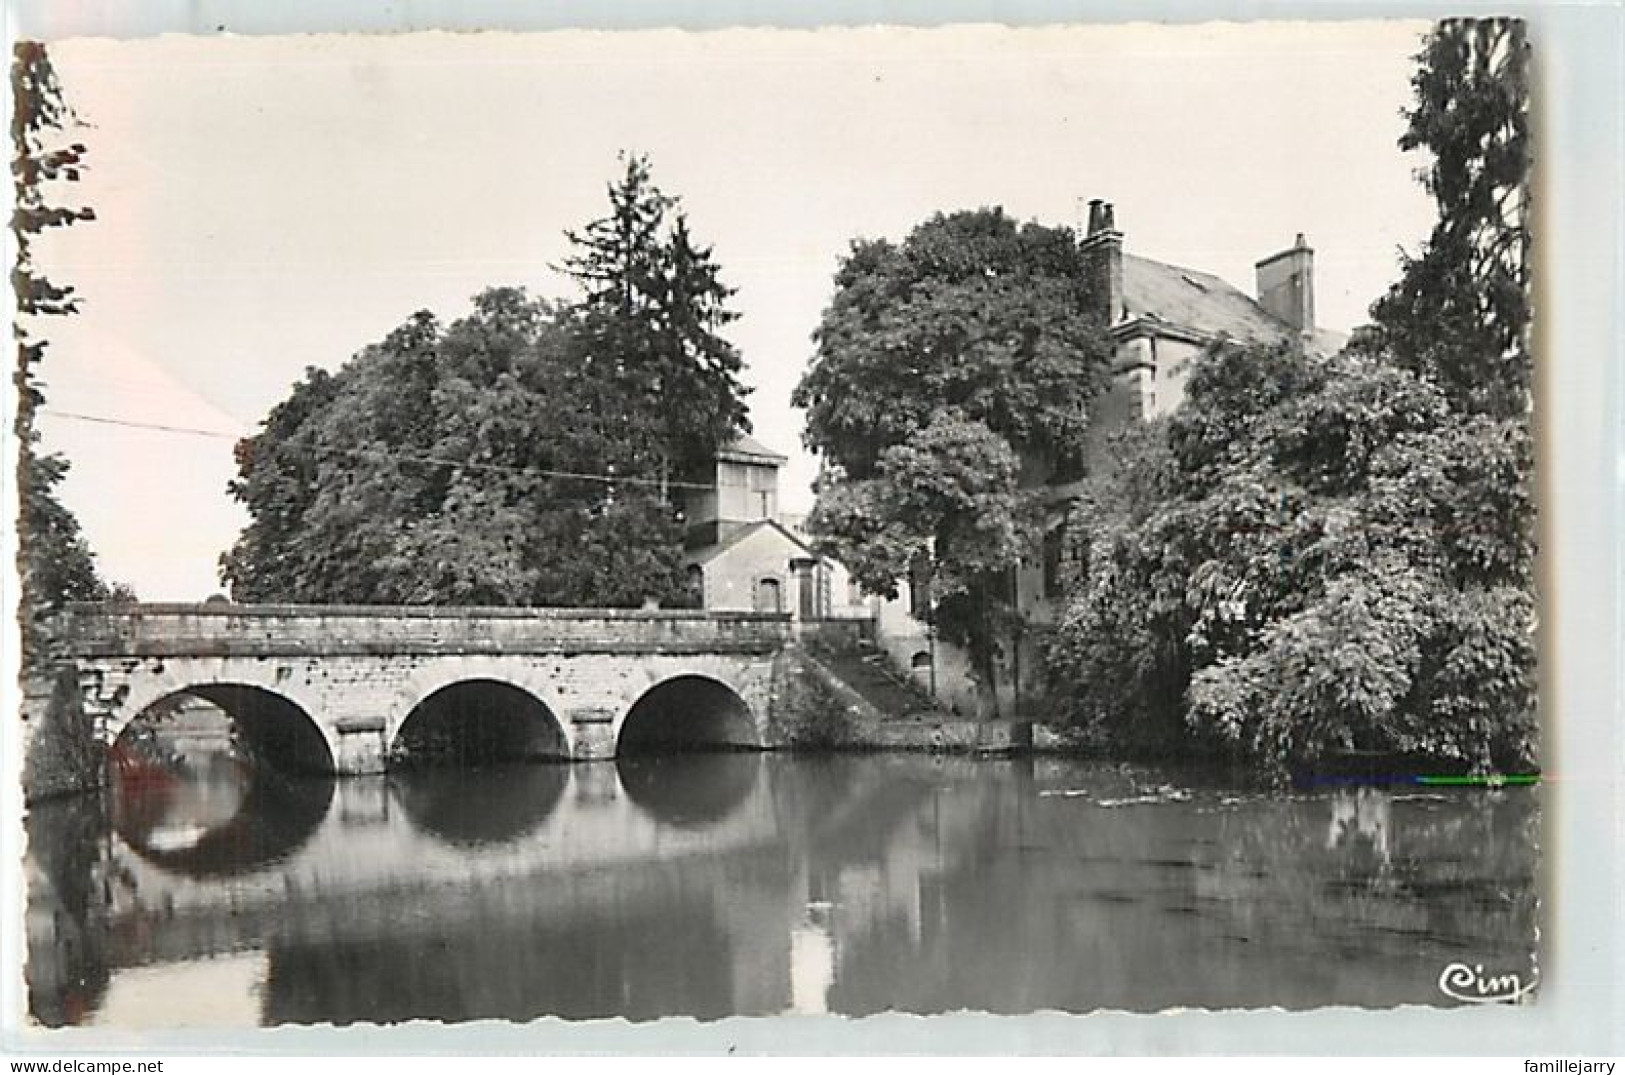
<point x="271" y="204"/>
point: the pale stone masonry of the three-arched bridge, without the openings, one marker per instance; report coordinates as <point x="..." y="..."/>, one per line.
<point x="360" y="671"/>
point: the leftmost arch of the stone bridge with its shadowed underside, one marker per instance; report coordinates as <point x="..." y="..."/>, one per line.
<point x="272" y="719"/>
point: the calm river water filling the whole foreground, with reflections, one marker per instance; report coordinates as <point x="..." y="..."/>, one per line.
<point x="743" y="884"/>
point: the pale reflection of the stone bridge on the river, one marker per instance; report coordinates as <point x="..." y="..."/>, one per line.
<point x="464" y="827"/>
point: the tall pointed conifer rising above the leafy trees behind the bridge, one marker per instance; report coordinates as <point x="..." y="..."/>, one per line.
<point x="651" y="319"/>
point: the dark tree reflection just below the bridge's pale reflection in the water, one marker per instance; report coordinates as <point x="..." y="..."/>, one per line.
<point x="638" y="946"/>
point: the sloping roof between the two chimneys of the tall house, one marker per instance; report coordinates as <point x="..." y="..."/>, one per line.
<point x="1198" y="303"/>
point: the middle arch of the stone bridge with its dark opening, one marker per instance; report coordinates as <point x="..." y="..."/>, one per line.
<point x="477" y="710"/>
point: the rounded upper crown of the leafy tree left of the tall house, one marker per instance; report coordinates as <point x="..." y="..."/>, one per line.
<point x="971" y="313"/>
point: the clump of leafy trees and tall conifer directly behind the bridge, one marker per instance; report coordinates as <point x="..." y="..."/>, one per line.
<point x="519" y="457"/>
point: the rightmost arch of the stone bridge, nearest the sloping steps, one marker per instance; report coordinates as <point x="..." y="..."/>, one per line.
<point x="688" y="712"/>
